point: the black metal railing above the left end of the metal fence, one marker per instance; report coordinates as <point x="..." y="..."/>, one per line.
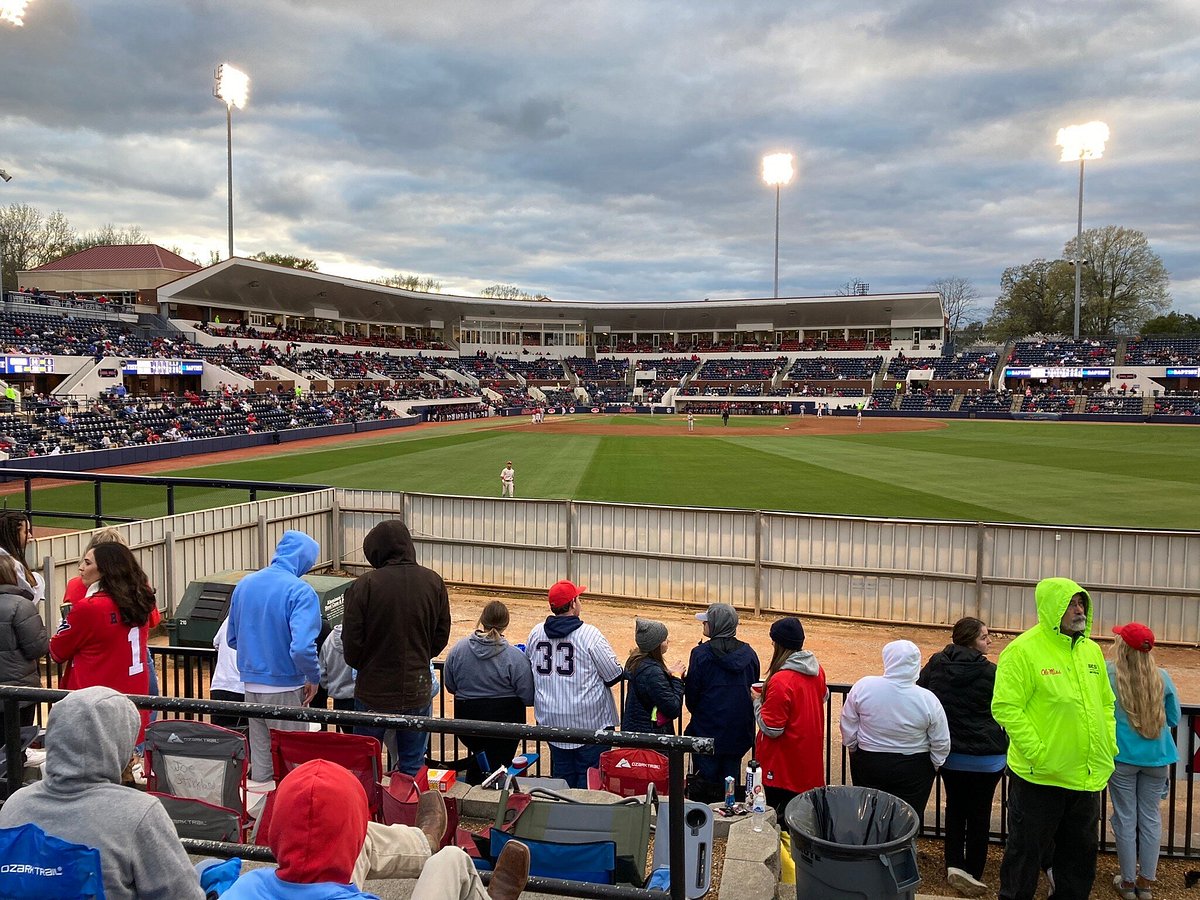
<point x="171" y="483"/>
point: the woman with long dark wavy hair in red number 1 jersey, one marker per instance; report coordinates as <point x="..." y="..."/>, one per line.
<point x="104" y="638"/>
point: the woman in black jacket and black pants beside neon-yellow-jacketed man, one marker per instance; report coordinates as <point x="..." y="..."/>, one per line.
<point x="963" y="679"/>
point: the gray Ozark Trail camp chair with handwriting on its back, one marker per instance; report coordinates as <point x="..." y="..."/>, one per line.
<point x="199" y="771"/>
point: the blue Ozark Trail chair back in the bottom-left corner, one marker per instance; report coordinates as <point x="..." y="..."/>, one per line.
<point x="41" y="867"/>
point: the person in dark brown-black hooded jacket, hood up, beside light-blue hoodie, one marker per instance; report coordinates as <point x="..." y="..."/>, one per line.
<point x="397" y="620"/>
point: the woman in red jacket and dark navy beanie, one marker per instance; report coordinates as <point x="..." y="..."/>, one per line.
<point x="791" y="718"/>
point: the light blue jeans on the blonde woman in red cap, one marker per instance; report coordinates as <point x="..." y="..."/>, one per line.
<point x="1136" y="793"/>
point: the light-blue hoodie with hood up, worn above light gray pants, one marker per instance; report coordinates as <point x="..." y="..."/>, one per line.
<point x="275" y="619"/>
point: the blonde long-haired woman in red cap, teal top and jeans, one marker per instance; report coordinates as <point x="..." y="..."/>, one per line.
<point x="1148" y="709"/>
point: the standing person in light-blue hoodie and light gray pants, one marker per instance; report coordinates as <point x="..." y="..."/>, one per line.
<point x="274" y="622"/>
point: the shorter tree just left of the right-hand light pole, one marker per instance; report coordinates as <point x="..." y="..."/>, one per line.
<point x="1035" y="298"/>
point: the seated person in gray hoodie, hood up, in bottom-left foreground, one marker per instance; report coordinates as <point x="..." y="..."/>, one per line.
<point x="89" y="739"/>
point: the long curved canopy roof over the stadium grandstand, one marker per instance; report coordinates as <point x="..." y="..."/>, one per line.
<point x="263" y="287"/>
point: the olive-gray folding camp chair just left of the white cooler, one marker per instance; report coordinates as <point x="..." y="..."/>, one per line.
<point x="555" y="819"/>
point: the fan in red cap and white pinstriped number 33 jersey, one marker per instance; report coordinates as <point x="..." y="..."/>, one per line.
<point x="574" y="671"/>
